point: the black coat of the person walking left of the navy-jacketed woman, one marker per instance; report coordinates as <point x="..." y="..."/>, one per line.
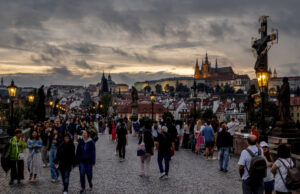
<point x="65" y="156"/>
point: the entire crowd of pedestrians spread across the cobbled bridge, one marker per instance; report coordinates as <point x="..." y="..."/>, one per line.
<point x="63" y="144"/>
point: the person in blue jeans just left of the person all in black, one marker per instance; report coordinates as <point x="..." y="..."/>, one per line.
<point x="55" y="141"/>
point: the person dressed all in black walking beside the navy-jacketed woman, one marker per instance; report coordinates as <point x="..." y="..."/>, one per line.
<point x="65" y="160"/>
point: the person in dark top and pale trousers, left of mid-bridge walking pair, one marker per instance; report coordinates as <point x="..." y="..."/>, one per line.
<point x="147" y="140"/>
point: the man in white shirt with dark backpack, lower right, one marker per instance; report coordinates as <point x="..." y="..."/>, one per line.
<point x="250" y="186"/>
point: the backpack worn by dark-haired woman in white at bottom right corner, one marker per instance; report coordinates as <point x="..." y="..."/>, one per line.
<point x="292" y="180"/>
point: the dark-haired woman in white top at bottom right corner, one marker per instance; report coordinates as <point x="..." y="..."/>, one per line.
<point x="280" y="169"/>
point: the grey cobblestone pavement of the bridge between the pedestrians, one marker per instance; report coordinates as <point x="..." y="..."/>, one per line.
<point x="189" y="173"/>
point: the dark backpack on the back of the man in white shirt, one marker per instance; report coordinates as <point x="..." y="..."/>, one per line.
<point x="258" y="166"/>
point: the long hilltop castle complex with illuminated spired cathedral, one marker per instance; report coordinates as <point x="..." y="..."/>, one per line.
<point x="208" y="75"/>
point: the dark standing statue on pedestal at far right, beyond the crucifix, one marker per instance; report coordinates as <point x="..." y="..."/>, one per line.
<point x="284" y="101"/>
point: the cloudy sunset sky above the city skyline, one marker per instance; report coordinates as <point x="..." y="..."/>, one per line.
<point x="73" y="41"/>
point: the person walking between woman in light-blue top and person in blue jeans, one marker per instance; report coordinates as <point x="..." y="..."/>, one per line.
<point x="45" y="136"/>
